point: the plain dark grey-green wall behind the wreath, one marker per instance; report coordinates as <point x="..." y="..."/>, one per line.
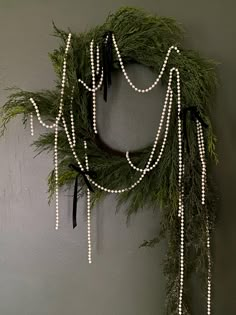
<point x="46" y="272"/>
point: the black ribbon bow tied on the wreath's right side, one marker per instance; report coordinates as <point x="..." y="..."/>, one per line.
<point x="194" y="115"/>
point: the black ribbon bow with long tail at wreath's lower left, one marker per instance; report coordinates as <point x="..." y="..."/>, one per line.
<point x="84" y="174"/>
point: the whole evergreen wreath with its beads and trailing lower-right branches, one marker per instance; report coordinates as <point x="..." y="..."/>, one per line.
<point x="143" y="39"/>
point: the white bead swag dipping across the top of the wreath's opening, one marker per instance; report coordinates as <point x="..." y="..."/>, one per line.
<point x="126" y="75"/>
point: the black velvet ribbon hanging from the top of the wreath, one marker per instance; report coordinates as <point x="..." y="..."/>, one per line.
<point x="107" y="61"/>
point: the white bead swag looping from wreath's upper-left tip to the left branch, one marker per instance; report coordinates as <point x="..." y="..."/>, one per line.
<point x="62" y="91"/>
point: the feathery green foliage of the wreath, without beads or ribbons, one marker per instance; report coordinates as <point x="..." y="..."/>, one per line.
<point x="143" y="39"/>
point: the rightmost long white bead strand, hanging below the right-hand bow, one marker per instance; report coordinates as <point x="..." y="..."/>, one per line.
<point x="202" y="153"/>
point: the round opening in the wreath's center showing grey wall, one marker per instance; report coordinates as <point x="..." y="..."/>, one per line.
<point x="128" y="120"/>
